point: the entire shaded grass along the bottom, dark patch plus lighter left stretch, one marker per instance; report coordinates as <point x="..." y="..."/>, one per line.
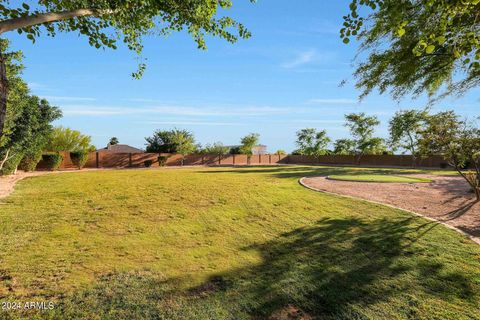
<point x="336" y="269"/>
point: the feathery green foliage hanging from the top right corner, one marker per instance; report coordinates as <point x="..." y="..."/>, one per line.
<point x="416" y="46"/>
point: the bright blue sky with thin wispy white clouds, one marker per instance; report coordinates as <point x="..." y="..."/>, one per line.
<point x="285" y="78"/>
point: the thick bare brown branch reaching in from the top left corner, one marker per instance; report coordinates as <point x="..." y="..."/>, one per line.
<point x="36" y="19"/>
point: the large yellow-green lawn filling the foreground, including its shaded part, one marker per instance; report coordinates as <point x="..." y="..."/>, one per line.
<point x="225" y="244"/>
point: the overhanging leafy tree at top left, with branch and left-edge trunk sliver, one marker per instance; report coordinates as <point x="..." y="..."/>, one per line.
<point x="106" y="22"/>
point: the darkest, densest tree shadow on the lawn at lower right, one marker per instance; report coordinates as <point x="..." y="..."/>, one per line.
<point x="340" y="267"/>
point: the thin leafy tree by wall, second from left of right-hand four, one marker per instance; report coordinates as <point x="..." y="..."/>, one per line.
<point x="362" y="128"/>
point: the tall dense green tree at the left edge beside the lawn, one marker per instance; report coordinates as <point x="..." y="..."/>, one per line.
<point x="28" y="121"/>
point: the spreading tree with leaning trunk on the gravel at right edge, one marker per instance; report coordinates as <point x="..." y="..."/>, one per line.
<point x="458" y="141"/>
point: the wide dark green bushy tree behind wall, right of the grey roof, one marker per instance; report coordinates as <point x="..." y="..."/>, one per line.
<point x="171" y="141"/>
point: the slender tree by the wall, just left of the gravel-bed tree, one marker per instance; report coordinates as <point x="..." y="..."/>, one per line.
<point x="405" y="127"/>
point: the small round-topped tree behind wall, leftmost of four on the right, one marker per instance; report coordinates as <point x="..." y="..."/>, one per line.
<point x="311" y="142"/>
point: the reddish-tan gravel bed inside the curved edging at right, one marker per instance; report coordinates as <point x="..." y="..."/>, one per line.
<point x="447" y="199"/>
